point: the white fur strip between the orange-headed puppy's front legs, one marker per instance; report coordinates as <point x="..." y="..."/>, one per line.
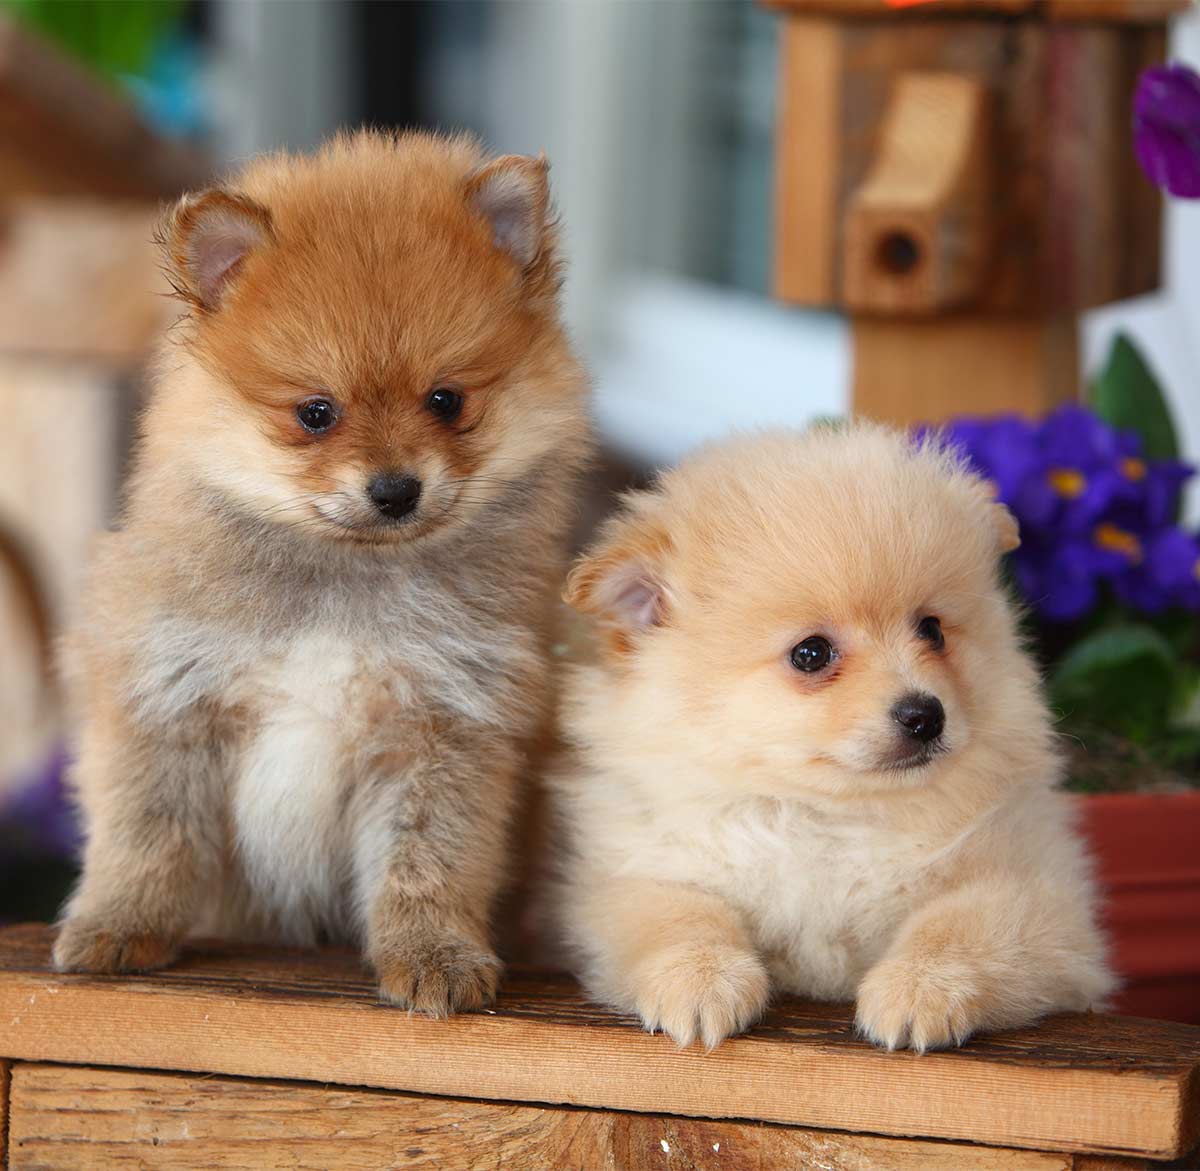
<point x="291" y="786"/>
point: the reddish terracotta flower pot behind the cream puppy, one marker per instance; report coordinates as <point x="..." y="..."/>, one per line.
<point x="1148" y="851"/>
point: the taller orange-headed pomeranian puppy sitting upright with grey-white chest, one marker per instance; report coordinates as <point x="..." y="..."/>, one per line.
<point x="315" y="650"/>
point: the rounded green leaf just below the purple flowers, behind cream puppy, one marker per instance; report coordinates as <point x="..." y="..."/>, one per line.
<point x="1124" y="678"/>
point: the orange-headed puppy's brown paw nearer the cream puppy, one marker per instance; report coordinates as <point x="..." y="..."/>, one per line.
<point x="440" y="975"/>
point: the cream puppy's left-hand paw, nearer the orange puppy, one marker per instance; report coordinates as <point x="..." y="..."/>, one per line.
<point x="701" y="993"/>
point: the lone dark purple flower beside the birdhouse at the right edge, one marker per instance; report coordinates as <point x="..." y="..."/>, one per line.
<point x="1167" y="129"/>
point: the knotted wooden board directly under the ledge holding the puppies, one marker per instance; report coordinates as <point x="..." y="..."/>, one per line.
<point x="80" y="1119"/>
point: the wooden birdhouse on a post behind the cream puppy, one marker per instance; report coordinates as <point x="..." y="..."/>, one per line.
<point x="959" y="177"/>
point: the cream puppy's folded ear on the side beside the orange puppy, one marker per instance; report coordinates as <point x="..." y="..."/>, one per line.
<point x="621" y="580"/>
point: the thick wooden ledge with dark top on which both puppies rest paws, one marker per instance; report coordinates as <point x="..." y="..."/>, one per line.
<point x="1081" y="1084"/>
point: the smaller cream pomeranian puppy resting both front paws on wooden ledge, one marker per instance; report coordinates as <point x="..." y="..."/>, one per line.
<point x="813" y="755"/>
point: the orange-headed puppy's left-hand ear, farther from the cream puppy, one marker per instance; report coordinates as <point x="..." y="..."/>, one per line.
<point x="206" y="238"/>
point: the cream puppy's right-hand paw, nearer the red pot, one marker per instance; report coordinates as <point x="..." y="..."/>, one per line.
<point x="920" y="1006"/>
